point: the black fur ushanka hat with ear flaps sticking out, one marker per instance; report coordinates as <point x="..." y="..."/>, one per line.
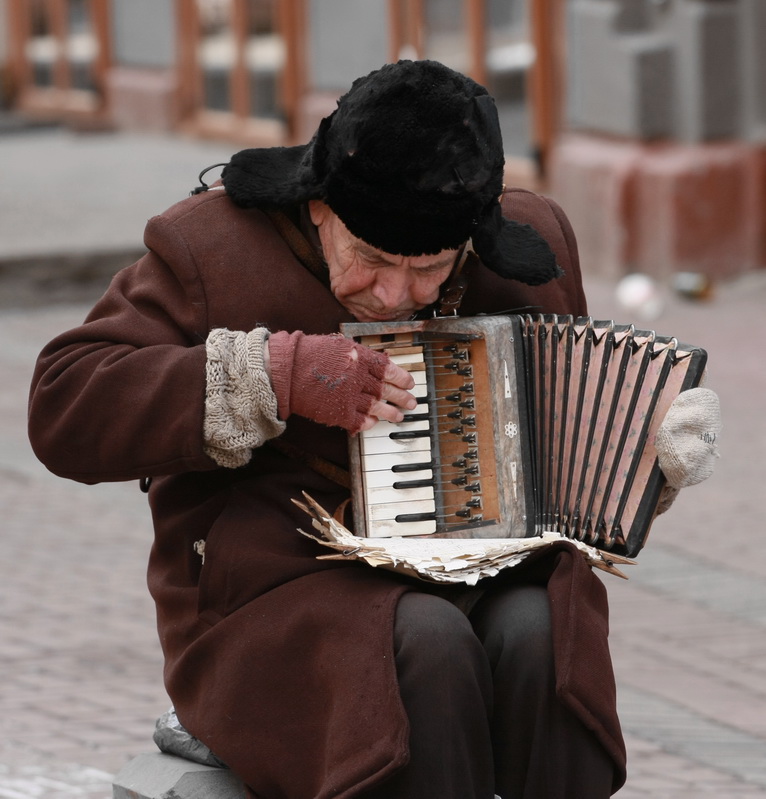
<point x="411" y="160"/>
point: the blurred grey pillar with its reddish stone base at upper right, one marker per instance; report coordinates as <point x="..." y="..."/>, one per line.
<point x="664" y="168"/>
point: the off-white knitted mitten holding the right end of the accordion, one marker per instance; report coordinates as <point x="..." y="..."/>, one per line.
<point x="687" y="439"/>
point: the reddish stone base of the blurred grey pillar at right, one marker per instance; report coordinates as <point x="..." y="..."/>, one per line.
<point x="662" y="208"/>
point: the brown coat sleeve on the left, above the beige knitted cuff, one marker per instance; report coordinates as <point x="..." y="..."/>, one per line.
<point x="122" y="396"/>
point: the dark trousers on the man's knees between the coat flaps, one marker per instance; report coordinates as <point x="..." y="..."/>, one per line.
<point x="480" y="697"/>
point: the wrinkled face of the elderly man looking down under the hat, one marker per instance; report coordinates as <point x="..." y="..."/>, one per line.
<point x="370" y="284"/>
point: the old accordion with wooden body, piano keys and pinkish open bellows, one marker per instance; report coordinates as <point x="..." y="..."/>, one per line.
<point x="524" y="424"/>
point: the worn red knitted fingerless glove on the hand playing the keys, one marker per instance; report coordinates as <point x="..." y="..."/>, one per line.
<point x="320" y="378"/>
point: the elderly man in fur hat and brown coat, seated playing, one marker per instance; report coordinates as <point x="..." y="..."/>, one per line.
<point x="212" y="369"/>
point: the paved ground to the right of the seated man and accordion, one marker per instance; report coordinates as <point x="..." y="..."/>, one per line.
<point x="688" y="628"/>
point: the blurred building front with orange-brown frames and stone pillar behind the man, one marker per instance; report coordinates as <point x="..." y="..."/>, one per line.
<point x="645" y="118"/>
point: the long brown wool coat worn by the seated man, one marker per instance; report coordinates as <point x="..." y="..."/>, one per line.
<point x="280" y="663"/>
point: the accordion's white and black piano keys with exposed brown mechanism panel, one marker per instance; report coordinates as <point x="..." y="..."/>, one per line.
<point x="435" y="473"/>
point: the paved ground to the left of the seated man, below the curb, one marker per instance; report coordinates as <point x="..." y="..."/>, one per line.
<point x="81" y="663"/>
